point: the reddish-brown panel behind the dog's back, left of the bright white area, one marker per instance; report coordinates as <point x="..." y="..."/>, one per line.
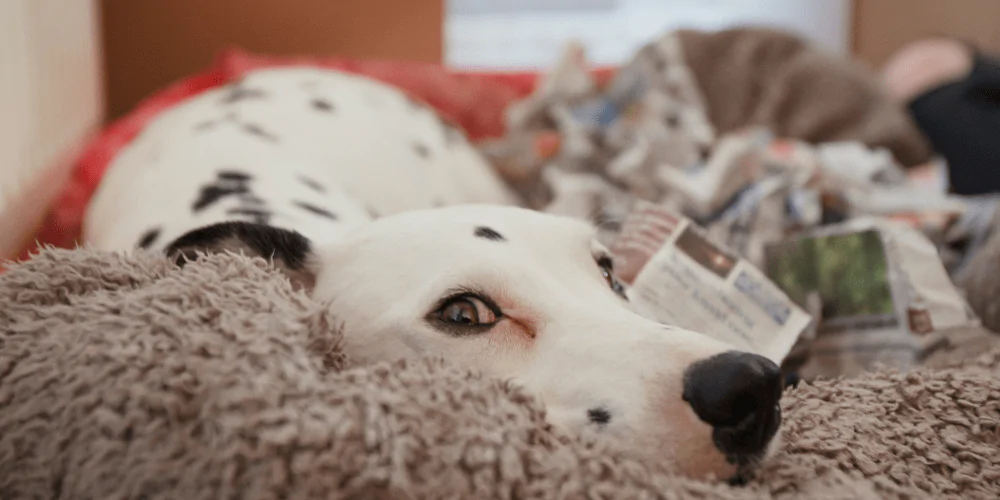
<point x="150" y="43"/>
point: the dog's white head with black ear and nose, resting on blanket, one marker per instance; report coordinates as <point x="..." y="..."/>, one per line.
<point x="532" y="298"/>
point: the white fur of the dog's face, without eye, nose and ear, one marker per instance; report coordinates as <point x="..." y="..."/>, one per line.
<point x="566" y="335"/>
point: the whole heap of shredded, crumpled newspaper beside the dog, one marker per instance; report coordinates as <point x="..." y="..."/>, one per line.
<point x="640" y="153"/>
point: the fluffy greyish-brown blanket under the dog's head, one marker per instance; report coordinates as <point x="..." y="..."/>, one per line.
<point x="126" y="377"/>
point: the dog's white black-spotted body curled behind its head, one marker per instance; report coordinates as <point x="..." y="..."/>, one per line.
<point x="316" y="151"/>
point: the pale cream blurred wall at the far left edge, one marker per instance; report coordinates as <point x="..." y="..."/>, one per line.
<point x="50" y="99"/>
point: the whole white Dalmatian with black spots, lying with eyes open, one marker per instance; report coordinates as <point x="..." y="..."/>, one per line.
<point x="334" y="178"/>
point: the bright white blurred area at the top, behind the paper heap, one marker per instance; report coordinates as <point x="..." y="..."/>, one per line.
<point x="531" y="37"/>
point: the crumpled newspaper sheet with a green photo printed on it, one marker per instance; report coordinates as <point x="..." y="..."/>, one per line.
<point x="884" y="296"/>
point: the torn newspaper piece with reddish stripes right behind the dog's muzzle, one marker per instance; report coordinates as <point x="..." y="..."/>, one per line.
<point x="677" y="276"/>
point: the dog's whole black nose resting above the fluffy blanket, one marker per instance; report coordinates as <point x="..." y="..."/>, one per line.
<point x="737" y="393"/>
